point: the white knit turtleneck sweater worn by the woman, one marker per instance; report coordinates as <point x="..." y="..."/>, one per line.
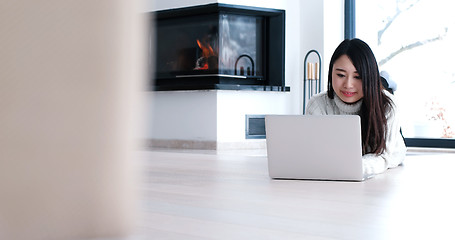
<point x="395" y="152"/>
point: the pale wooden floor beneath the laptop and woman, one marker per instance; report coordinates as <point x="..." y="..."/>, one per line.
<point x="228" y="195"/>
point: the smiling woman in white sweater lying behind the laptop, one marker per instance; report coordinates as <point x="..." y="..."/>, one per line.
<point x="354" y="87"/>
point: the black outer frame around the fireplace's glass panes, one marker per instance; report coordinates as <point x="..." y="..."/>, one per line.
<point x="273" y="55"/>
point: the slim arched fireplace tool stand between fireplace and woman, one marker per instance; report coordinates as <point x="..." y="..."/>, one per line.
<point x="311" y="77"/>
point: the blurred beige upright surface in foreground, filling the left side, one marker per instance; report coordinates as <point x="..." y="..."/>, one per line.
<point x="70" y="75"/>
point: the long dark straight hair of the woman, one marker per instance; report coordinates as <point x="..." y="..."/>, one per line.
<point x="375" y="103"/>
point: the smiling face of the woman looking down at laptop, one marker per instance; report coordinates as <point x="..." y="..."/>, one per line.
<point x="346" y="80"/>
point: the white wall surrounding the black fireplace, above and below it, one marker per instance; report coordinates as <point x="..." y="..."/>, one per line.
<point x="185" y="115"/>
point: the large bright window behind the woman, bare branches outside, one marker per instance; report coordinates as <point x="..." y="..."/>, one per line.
<point x="413" y="41"/>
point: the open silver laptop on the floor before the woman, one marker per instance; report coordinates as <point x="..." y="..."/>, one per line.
<point x="314" y="147"/>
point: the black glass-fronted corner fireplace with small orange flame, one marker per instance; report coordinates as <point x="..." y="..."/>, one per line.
<point x="219" y="46"/>
